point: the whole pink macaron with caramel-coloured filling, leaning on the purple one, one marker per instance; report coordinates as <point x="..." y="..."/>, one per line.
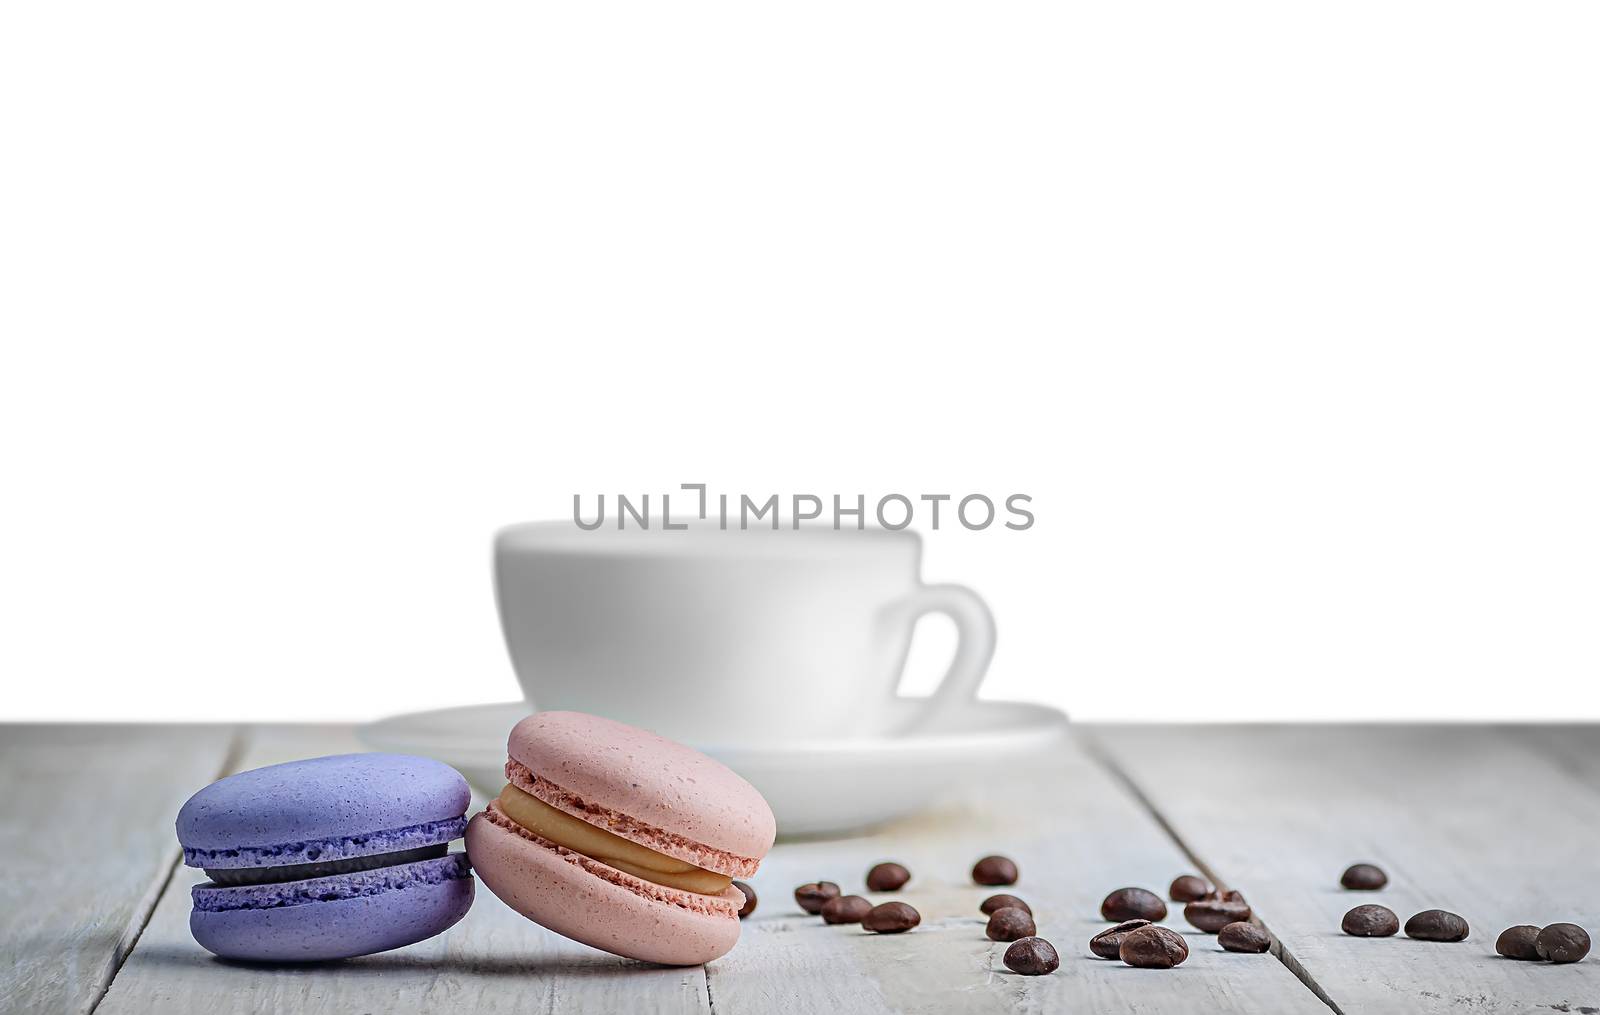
<point x="622" y="840"/>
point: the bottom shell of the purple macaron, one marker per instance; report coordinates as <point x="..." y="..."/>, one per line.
<point x="338" y="929"/>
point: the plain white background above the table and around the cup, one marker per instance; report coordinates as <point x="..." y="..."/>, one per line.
<point x="1284" y="315"/>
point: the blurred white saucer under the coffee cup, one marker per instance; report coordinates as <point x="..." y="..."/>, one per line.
<point x="825" y="787"/>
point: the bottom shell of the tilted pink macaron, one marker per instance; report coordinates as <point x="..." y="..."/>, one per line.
<point x="551" y="891"/>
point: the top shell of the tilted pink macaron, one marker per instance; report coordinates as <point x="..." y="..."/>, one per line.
<point x="649" y="779"/>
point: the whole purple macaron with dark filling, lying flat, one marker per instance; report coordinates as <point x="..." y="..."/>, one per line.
<point x="327" y="859"/>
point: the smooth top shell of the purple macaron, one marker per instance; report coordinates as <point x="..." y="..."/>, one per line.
<point x="281" y="809"/>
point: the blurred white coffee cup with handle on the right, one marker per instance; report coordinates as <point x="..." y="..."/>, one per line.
<point x="730" y="636"/>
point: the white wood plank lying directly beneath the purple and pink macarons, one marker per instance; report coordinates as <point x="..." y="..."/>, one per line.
<point x="492" y="961"/>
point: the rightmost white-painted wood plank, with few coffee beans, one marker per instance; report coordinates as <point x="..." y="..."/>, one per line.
<point x="1465" y="819"/>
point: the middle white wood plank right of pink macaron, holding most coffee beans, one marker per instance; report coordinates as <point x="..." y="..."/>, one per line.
<point x="1076" y="835"/>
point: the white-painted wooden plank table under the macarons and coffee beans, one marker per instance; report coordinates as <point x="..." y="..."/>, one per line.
<point x="1497" y="824"/>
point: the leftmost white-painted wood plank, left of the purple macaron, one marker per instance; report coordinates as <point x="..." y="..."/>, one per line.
<point x="87" y="841"/>
